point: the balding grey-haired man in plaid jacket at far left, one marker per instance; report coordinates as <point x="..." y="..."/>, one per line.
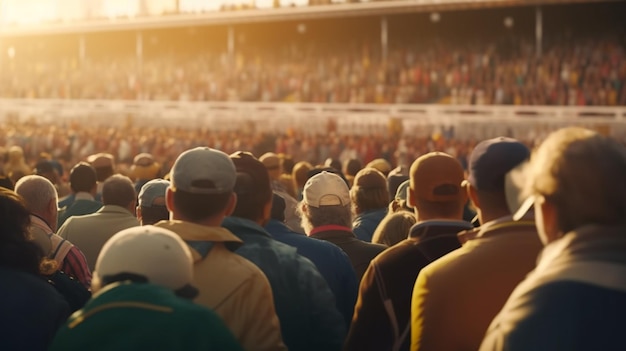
<point x="40" y="198"/>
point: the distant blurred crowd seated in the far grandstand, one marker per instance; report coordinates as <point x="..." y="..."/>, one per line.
<point x="580" y="72"/>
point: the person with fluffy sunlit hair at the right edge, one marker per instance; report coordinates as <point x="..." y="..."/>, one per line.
<point x="579" y="194"/>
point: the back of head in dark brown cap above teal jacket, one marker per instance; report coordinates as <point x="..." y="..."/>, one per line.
<point x="253" y="187"/>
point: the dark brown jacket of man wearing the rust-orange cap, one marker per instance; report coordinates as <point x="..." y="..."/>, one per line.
<point x="383" y="311"/>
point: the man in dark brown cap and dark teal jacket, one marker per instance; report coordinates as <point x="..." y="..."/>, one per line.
<point x="305" y="305"/>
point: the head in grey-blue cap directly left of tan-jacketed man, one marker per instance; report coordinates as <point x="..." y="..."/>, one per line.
<point x="151" y="200"/>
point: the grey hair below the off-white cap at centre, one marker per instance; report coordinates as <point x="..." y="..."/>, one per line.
<point x="324" y="215"/>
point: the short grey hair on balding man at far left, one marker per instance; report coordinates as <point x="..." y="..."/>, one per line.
<point x="37" y="192"/>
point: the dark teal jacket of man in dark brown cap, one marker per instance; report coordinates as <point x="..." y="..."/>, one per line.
<point x="305" y="305"/>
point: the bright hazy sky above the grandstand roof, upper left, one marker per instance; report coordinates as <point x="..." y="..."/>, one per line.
<point x="36" y="11"/>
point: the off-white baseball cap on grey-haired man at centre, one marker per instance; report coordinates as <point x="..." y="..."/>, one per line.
<point x="326" y="189"/>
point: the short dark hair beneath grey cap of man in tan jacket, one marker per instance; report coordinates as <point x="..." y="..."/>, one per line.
<point x="197" y="207"/>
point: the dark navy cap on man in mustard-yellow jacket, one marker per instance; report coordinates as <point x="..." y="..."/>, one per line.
<point x="492" y="159"/>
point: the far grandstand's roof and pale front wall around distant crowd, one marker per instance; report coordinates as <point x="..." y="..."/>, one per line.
<point x="372" y="31"/>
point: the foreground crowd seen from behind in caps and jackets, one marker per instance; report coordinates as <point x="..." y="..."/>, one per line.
<point x="239" y="249"/>
